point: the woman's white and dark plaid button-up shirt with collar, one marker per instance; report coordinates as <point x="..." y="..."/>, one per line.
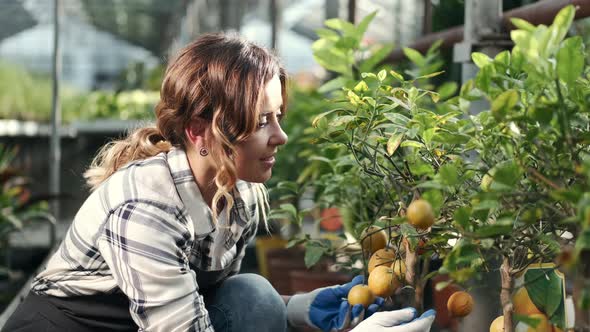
<point x="146" y="231"/>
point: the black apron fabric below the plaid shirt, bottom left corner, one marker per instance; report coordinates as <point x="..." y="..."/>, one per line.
<point x="103" y="312"/>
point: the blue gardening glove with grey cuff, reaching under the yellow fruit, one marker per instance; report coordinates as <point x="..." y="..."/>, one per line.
<point x="327" y="308"/>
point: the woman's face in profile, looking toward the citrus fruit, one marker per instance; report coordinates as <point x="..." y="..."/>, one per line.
<point x="255" y="156"/>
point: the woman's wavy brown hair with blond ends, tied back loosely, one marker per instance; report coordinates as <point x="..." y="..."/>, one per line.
<point x="218" y="79"/>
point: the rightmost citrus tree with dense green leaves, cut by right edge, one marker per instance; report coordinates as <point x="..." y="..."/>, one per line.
<point x="532" y="148"/>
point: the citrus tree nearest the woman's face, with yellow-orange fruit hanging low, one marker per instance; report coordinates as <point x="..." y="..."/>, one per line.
<point x="386" y="144"/>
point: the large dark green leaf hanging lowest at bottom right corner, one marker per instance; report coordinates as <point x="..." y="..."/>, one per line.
<point x="545" y="289"/>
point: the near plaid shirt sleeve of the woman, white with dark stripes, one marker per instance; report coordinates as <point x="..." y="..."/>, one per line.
<point x="146" y="247"/>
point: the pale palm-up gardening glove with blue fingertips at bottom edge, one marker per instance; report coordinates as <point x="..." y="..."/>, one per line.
<point x="403" y="320"/>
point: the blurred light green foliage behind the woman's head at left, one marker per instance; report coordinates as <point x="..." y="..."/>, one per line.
<point x="26" y="96"/>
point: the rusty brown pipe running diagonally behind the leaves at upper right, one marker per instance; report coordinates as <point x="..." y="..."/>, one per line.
<point x="541" y="12"/>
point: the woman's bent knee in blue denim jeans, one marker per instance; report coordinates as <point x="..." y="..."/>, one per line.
<point x="246" y="303"/>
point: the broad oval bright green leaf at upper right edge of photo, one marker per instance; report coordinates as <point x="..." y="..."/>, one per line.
<point x="570" y="60"/>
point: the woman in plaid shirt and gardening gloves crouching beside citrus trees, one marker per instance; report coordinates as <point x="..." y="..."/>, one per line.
<point x="158" y="244"/>
